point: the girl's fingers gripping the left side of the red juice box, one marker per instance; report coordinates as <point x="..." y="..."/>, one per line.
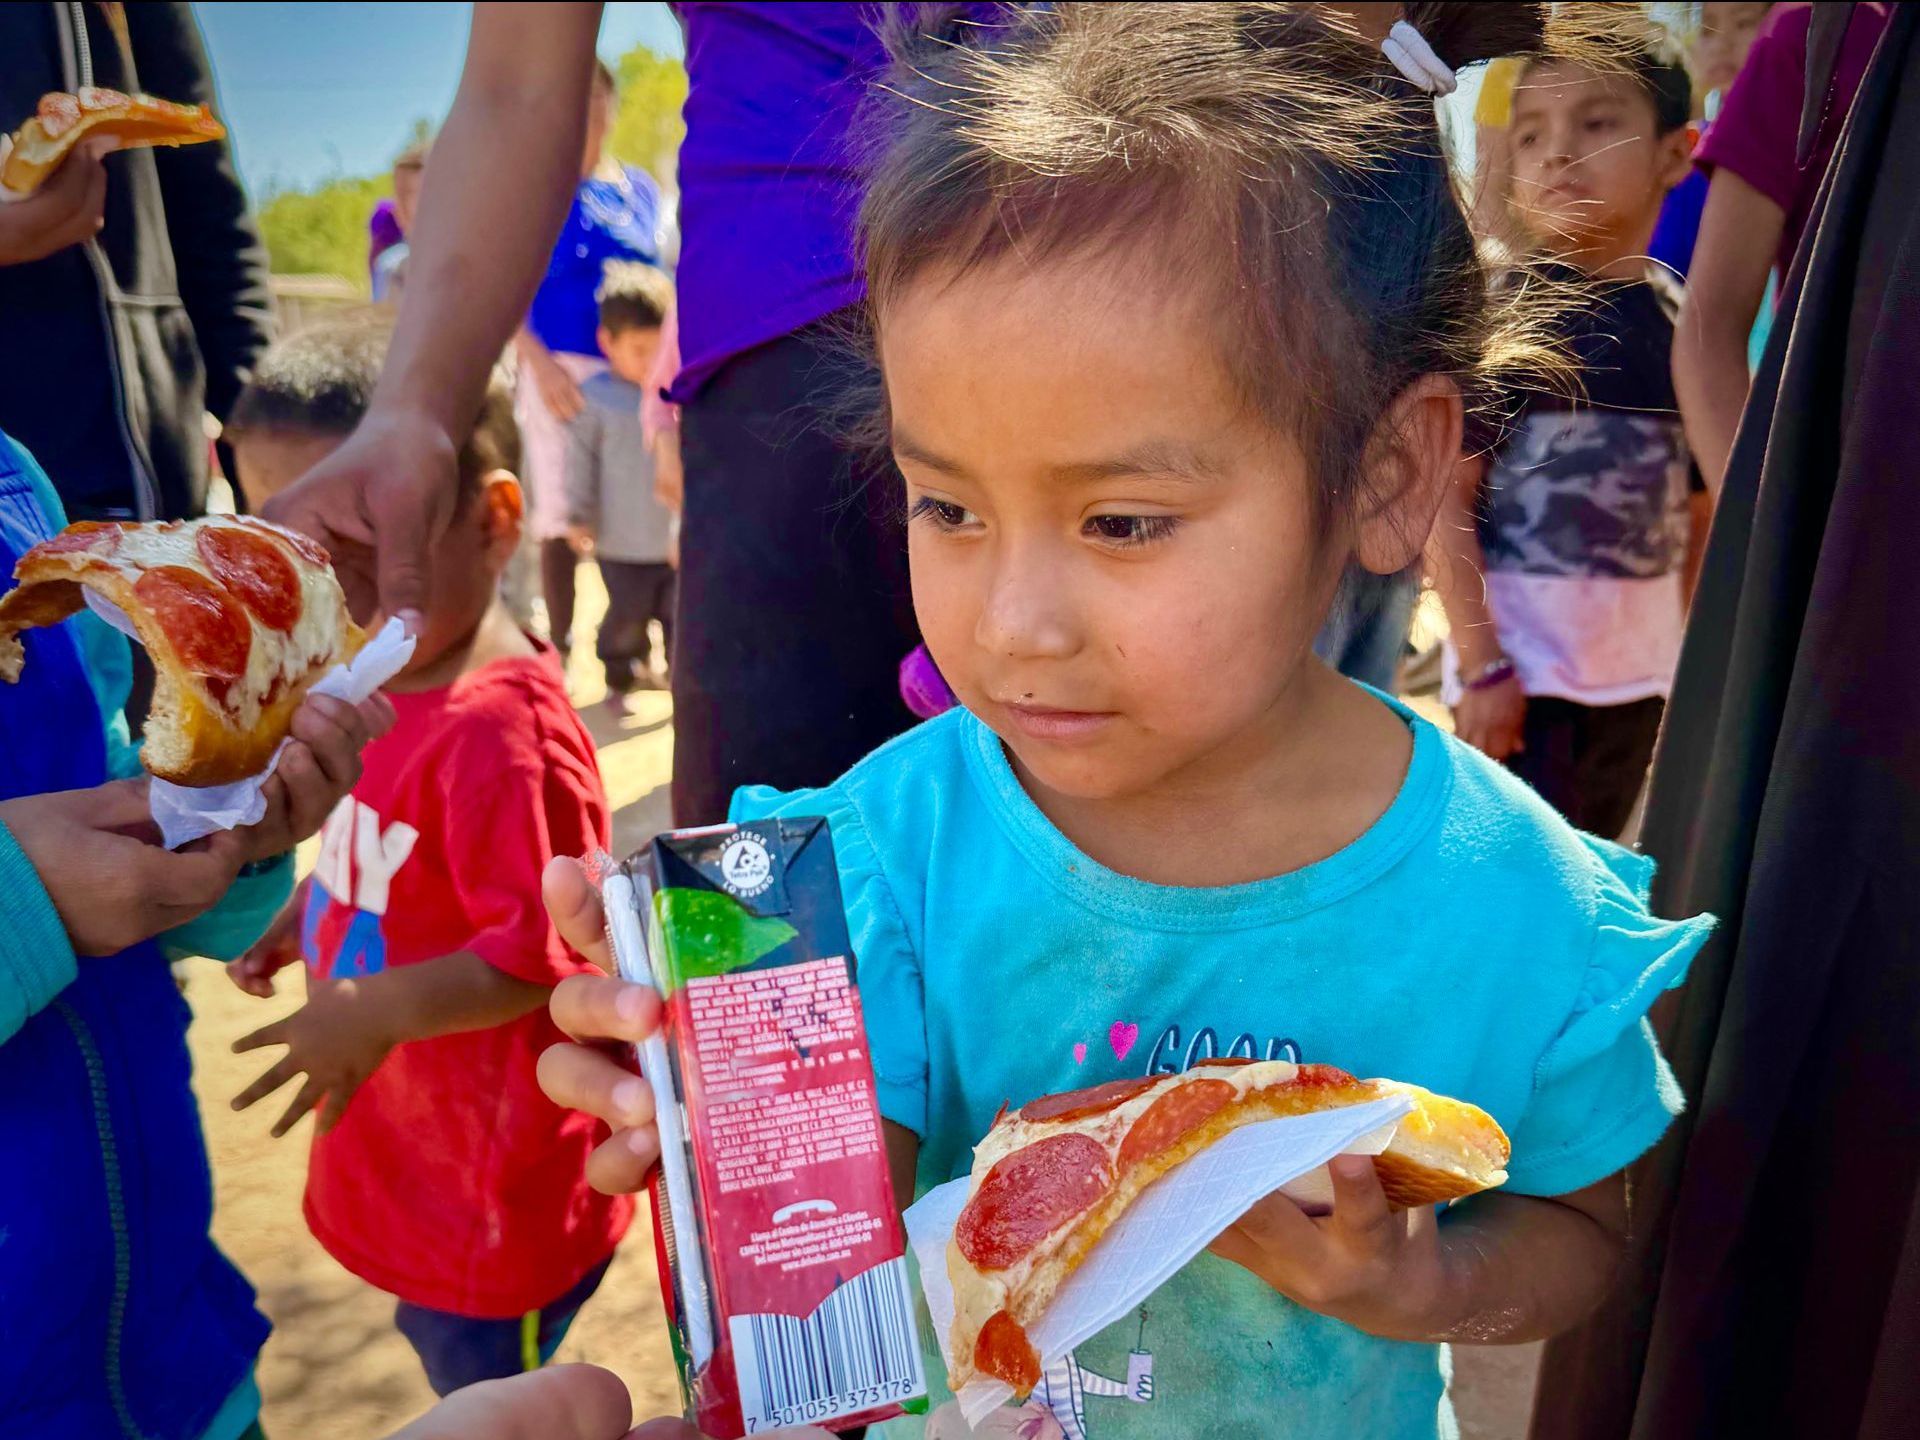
<point x="606" y="1017"/>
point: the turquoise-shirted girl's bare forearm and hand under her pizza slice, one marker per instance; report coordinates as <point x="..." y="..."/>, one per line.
<point x="1495" y="1270"/>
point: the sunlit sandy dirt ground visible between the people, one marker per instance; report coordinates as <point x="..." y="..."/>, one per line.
<point x="335" y="1368"/>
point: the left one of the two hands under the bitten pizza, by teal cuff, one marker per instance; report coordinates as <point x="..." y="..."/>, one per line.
<point x="112" y="884"/>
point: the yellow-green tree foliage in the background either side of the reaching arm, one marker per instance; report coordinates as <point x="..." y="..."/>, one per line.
<point x="324" y="229"/>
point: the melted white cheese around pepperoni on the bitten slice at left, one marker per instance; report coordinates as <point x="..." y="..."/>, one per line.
<point x="274" y="660"/>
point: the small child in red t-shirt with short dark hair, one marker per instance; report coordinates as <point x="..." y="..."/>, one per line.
<point x="441" y="1172"/>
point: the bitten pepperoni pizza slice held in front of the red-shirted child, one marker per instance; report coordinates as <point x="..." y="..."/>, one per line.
<point x="239" y="617"/>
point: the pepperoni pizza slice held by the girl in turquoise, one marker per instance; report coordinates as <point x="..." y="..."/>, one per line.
<point x="1053" y="1178"/>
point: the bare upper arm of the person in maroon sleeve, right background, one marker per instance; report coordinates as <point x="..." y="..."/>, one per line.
<point x="1739" y="235"/>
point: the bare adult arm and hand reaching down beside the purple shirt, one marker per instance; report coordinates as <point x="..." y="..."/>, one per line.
<point x="496" y="193"/>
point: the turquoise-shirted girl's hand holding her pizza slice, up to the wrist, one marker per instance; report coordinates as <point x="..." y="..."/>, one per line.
<point x="1366" y="1264"/>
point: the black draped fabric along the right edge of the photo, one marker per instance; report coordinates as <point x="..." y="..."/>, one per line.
<point x="1775" y="1280"/>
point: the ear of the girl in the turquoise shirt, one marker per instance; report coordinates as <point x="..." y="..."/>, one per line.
<point x="1410" y="464"/>
